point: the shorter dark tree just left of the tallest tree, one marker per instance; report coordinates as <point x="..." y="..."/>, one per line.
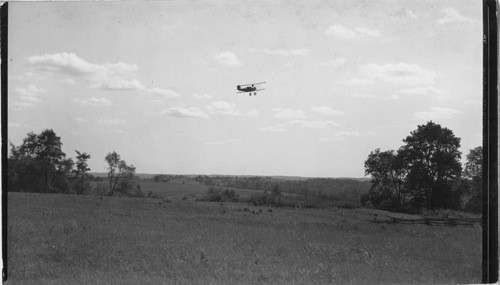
<point x="387" y="172"/>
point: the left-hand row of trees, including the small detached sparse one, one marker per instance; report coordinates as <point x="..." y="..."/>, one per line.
<point x="40" y="165"/>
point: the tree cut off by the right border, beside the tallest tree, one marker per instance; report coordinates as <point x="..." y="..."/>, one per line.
<point x="473" y="176"/>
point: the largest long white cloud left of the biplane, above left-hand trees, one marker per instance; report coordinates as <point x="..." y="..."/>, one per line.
<point x="109" y="76"/>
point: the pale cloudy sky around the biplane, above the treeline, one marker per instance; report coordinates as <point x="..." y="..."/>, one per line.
<point x="156" y="81"/>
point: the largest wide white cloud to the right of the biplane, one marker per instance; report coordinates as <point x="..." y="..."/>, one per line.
<point x="399" y="73"/>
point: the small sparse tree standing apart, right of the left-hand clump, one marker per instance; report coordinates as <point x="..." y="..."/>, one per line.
<point x="119" y="173"/>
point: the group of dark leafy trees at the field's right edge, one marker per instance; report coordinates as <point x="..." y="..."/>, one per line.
<point x="425" y="172"/>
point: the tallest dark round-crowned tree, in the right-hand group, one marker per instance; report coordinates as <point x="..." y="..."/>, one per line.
<point x="431" y="158"/>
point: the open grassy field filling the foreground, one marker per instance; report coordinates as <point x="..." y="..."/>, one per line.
<point x="70" y="239"/>
